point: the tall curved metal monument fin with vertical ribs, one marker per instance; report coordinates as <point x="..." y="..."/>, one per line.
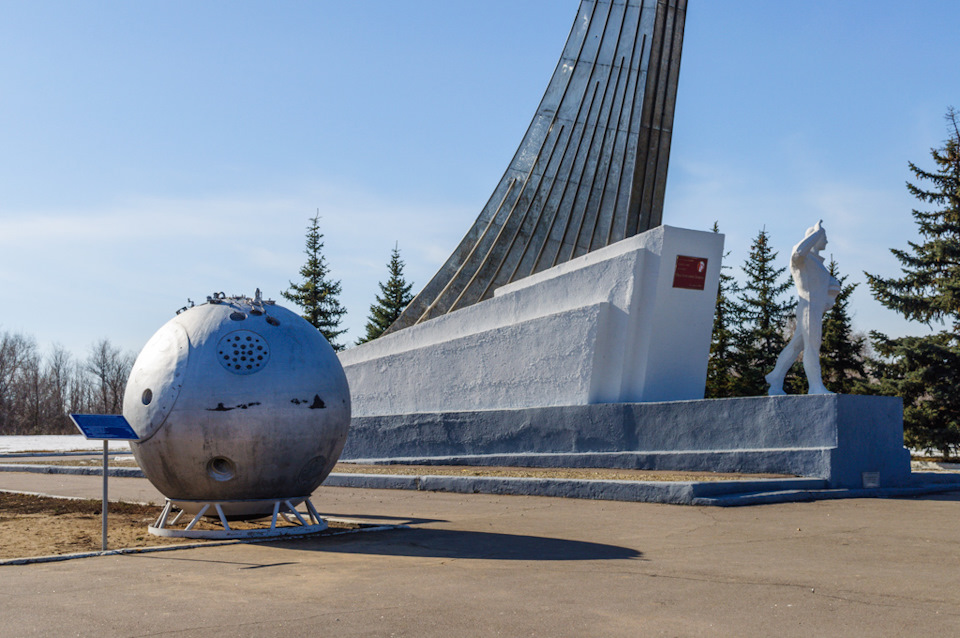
<point x="592" y="167"/>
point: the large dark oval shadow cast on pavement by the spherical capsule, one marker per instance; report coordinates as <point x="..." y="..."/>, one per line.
<point x="466" y="545"/>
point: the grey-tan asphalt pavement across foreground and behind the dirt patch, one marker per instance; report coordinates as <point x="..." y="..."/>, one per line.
<point x="480" y="565"/>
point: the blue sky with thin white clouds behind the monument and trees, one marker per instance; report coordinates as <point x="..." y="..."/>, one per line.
<point x="154" y="151"/>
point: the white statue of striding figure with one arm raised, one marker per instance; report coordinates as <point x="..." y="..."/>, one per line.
<point x="818" y="290"/>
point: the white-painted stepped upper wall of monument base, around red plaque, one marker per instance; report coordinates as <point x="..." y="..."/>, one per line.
<point x="603" y="328"/>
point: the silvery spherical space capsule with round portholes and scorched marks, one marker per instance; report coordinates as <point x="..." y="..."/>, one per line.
<point x="240" y="402"/>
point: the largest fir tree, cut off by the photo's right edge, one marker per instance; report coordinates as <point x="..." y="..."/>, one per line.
<point x="925" y="371"/>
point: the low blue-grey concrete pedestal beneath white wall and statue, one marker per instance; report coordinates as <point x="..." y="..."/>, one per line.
<point x="847" y="440"/>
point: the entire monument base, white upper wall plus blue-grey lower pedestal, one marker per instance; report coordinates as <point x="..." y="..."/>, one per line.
<point x="601" y="362"/>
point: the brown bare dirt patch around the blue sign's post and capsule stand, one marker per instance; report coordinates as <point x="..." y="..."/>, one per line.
<point x="41" y="526"/>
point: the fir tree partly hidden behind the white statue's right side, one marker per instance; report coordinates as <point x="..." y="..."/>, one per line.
<point x="841" y="355"/>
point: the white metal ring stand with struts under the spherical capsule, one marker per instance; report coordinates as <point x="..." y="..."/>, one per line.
<point x="300" y="523"/>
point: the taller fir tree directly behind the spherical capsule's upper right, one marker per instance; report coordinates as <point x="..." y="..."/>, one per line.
<point x="317" y="294"/>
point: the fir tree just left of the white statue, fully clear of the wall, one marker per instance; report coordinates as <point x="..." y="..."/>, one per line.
<point x="763" y="318"/>
